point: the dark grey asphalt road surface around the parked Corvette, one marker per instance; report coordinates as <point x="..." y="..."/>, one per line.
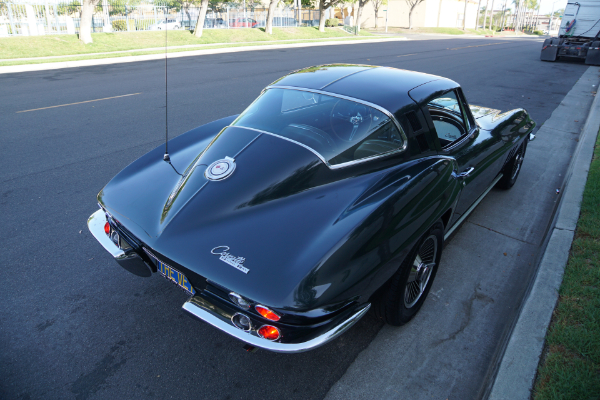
<point x="75" y="325"/>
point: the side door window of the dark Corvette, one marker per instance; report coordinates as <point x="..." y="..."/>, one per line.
<point x="449" y="118"/>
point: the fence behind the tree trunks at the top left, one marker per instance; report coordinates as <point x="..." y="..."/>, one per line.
<point x="18" y="19"/>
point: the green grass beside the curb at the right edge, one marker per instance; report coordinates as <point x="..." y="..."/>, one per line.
<point x="571" y="369"/>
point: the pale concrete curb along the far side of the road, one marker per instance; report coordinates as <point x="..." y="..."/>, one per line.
<point x="149" y="57"/>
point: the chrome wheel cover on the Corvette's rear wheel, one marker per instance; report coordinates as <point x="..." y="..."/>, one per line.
<point x="420" y="271"/>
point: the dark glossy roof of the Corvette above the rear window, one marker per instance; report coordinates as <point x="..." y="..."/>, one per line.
<point x="385" y="86"/>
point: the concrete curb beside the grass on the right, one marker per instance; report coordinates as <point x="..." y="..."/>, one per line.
<point x="518" y="368"/>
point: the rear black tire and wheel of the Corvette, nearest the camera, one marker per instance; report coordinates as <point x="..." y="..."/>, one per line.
<point x="403" y="295"/>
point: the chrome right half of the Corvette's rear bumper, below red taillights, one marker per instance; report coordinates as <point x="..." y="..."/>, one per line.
<point x="256" y="341"/>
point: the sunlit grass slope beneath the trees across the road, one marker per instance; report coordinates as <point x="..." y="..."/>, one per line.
<point x="45" y="46"/>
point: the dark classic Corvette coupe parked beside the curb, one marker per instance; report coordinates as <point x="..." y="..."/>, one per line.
<point x="331" y="194"/>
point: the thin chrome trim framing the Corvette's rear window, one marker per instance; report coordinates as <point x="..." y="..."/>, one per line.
<point x="366" y="103"/>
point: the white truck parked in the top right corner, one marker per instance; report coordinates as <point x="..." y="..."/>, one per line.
<point x="578" y="35"/>
